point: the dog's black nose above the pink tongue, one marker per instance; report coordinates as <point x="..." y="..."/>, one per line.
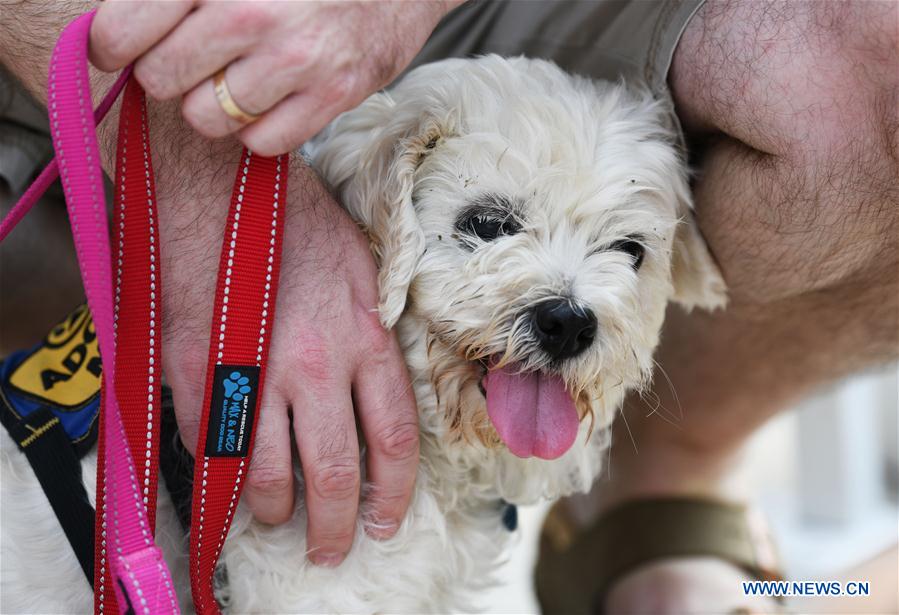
<point x="563" y="330"/>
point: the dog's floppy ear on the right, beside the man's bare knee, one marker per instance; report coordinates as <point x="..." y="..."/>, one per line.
<point x="696" y="278"/>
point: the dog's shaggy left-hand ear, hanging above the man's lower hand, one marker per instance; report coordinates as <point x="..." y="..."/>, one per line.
<point x="369" y="156"/>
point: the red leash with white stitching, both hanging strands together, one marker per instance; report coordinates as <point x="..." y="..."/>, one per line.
<point x="241" y="332"/>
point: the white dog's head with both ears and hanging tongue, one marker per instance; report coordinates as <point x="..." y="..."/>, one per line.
<point x="538" y="224"/>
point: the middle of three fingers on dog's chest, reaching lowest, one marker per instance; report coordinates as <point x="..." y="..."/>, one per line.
<point x="325" y="429"/>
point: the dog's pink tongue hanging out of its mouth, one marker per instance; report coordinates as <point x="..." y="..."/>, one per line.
<point x="532" y="412"/>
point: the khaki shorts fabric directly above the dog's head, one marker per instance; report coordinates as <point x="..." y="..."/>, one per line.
<point x="602" y="39"/>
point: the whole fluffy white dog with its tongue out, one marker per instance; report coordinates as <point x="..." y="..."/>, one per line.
<point x="530" y="228"/>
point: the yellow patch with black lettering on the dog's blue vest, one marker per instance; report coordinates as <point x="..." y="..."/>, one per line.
<point x="66" y="370"/>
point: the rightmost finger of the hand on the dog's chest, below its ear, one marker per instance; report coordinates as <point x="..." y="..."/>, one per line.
<point x="386" y="407"/>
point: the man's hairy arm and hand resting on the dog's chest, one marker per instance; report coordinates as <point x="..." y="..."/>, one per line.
<point x="328" y="349"/>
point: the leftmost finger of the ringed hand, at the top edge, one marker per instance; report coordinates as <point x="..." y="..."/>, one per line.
<point x="124" y="30"/>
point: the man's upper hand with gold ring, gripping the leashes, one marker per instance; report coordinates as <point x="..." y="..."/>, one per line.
<point x="298" y="64"/>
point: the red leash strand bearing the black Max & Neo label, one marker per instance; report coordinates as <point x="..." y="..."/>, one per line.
<point x="241" y="333"/>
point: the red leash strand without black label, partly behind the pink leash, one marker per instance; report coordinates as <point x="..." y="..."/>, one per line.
<point x="137" y="328"/>
